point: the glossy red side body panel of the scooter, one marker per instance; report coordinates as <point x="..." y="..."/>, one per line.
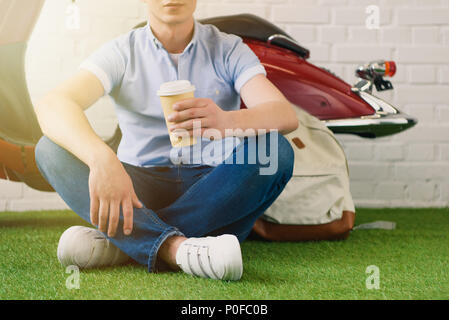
<point x="315" y="90"/>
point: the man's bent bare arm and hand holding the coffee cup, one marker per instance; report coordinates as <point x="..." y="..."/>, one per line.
<point x="267" y="109"/>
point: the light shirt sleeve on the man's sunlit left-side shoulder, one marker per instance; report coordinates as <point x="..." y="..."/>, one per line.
<point x="107" y="63"/>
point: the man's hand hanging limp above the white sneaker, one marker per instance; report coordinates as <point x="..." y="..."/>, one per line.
<point x="111" y="187"/>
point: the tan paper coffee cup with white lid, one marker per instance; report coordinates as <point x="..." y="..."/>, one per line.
<point x="170" y="93"/>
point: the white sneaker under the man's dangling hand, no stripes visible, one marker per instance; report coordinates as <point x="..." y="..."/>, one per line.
<point x="88" y="248"/>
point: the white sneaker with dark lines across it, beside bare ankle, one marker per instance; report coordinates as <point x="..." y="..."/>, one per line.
<point x="211" y="257"/>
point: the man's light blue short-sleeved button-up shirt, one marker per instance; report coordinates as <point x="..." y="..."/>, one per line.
<point x="132" y="67"/>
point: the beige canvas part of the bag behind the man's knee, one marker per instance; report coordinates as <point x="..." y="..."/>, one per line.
<point x="318" y="191"/>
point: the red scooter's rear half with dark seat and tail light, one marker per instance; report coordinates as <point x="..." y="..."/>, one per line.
<point x="344" y="108"/>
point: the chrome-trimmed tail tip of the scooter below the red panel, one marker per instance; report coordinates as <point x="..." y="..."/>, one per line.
<point x="385" y="121"/>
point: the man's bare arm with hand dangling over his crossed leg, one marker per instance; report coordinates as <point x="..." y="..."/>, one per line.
<point x="61" y="117"/>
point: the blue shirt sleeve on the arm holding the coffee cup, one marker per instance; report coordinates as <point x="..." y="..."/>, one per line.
<point x="242" y="63"/>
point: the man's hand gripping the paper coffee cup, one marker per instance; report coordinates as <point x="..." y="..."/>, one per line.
<point x="203" y="110"/>
